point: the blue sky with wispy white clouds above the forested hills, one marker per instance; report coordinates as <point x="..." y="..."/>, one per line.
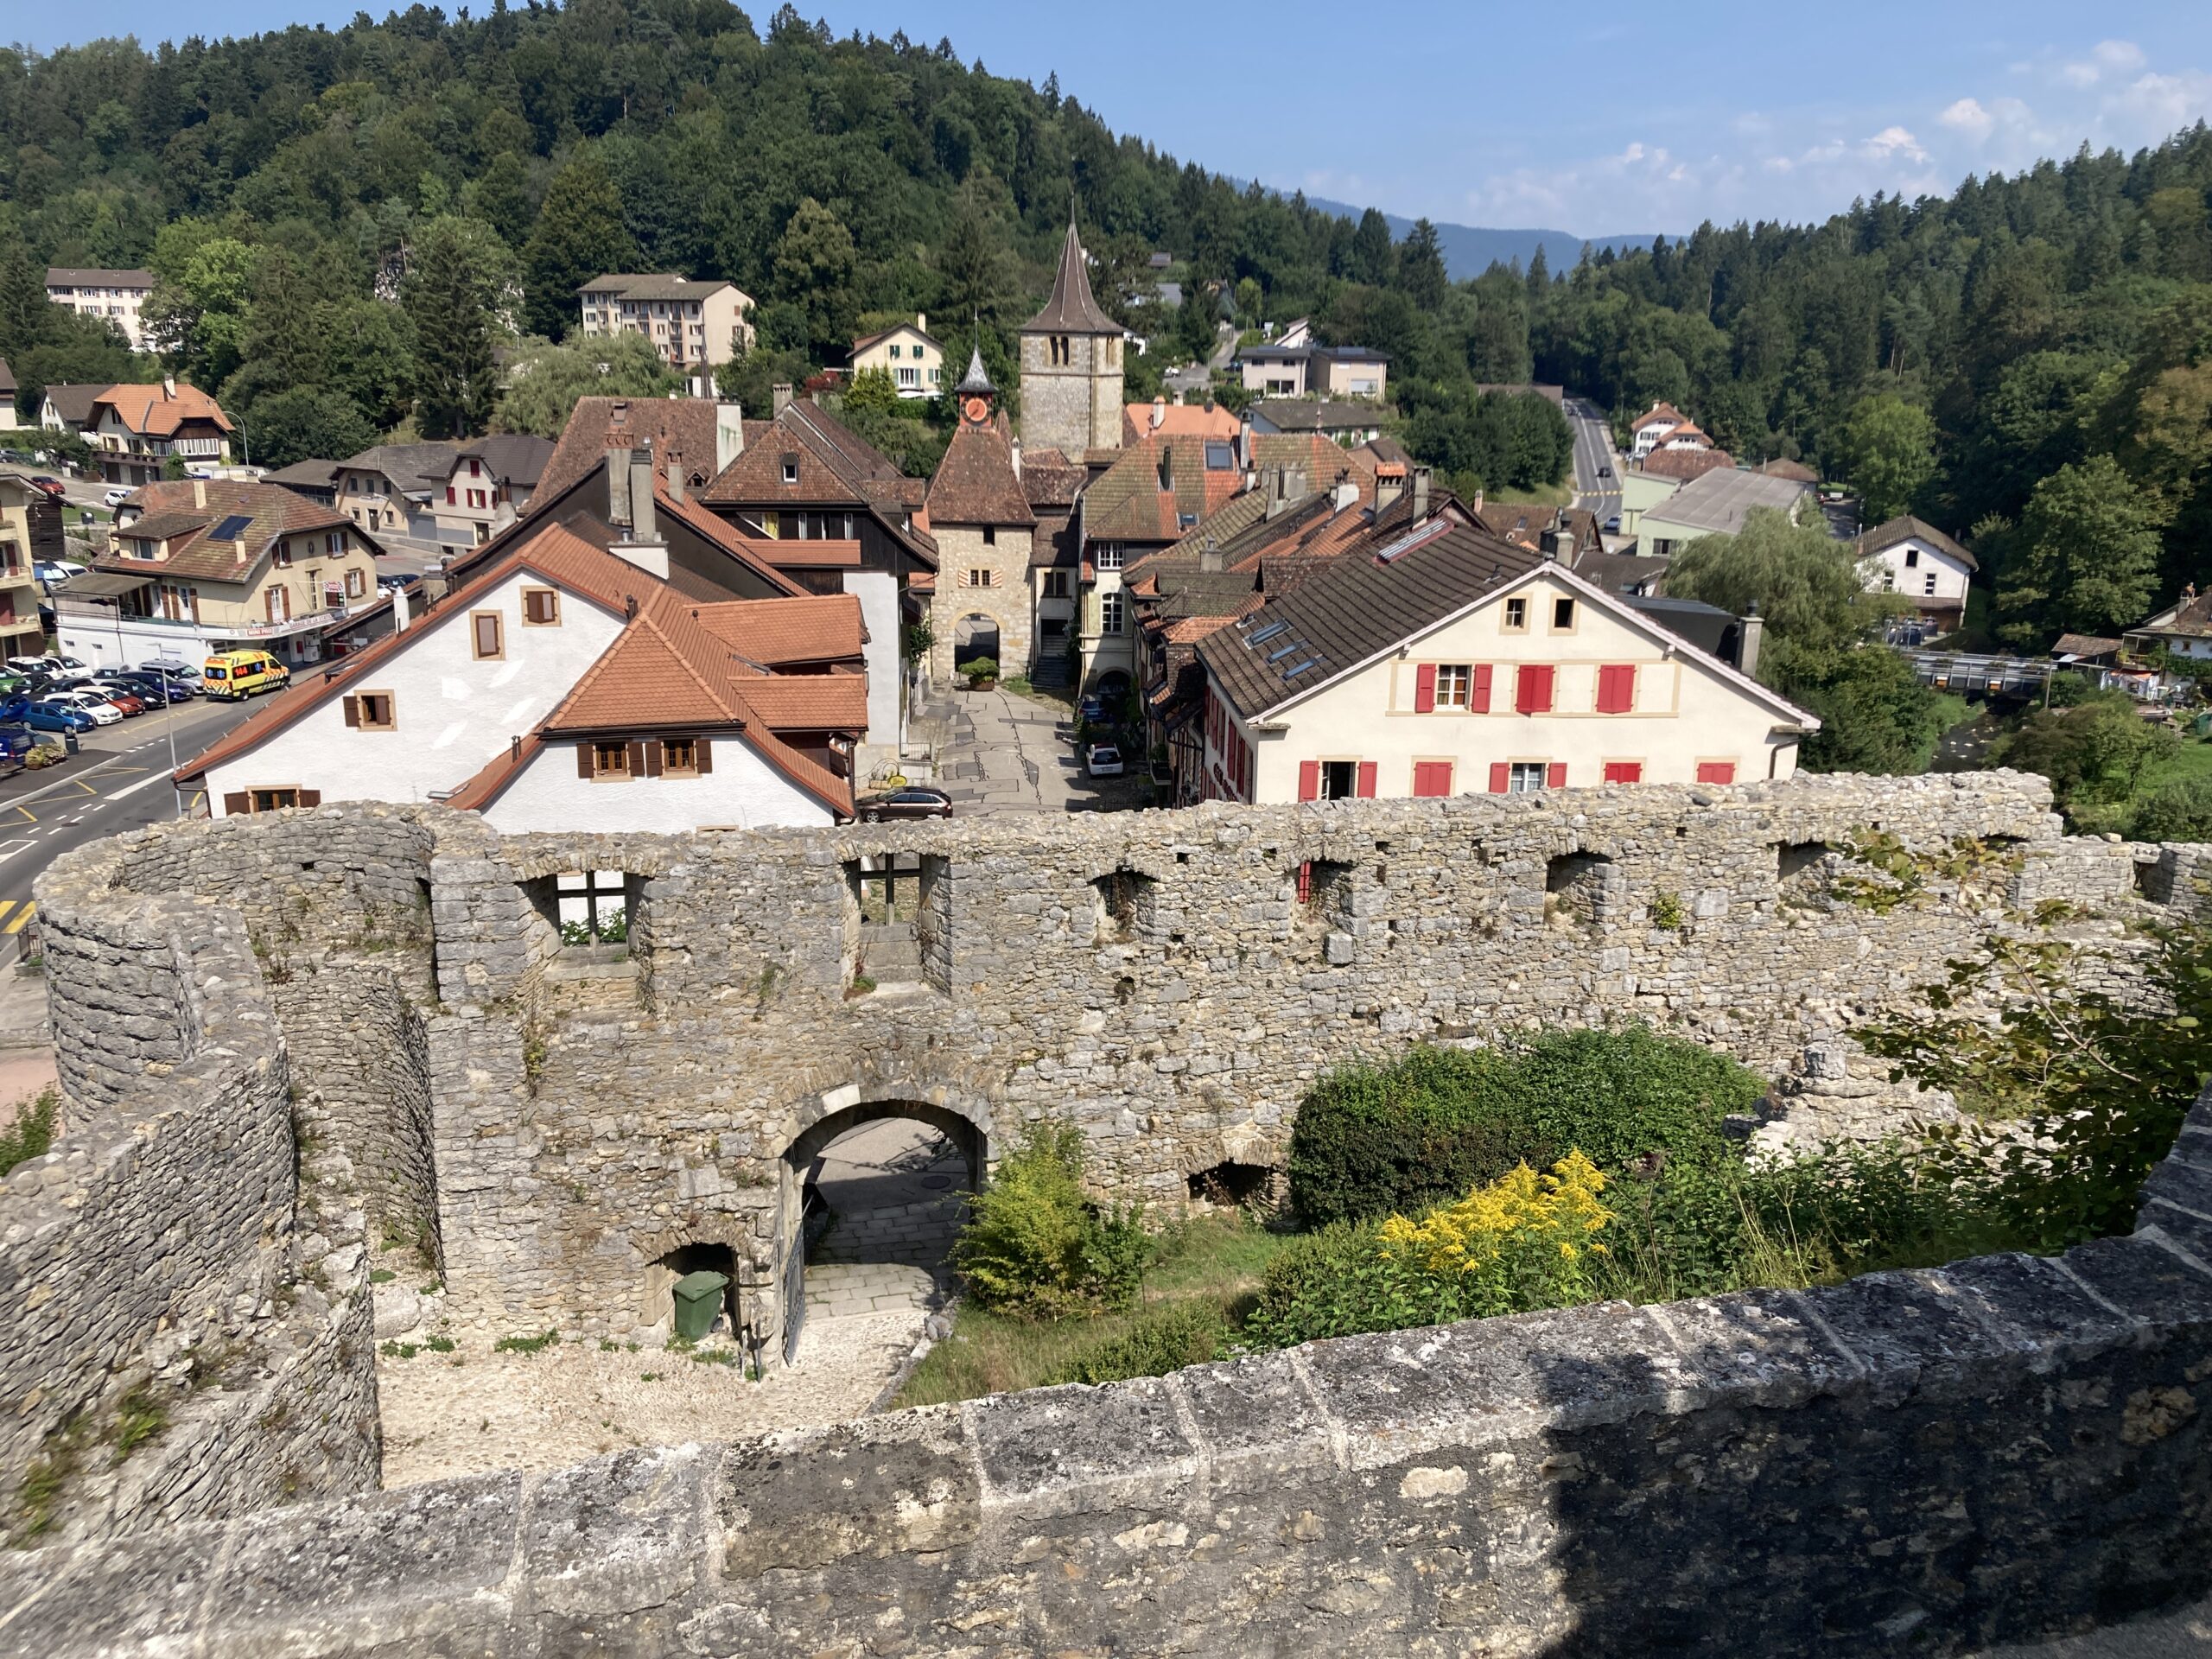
<point x="1580" y="118"/>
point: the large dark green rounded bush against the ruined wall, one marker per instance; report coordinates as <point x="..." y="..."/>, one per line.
<point x="1441" y="1123"/>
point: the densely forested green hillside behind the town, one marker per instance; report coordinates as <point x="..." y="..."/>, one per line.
<point x="348" y="222"/>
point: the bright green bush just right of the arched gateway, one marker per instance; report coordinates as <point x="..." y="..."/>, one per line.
<point x="1036" y="1246"/>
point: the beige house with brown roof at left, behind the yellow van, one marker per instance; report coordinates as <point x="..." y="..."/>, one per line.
<point x="213" y="565"/>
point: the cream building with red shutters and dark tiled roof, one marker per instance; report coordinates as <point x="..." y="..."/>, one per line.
<point x="1421" y="674"/>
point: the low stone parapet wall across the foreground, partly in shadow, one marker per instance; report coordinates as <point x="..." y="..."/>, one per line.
<point x="1912" y="1463"/>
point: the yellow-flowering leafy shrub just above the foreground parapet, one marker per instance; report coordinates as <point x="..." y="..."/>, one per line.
<point x="1510" y="1246"/>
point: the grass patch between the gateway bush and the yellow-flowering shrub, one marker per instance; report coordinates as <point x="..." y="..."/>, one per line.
<point x="1215" y="1260"/>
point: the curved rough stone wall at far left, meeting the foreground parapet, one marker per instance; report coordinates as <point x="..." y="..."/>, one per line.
<point x="180" y="1335"/>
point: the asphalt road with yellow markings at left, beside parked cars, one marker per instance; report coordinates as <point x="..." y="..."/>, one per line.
<point x="118" y="782"/>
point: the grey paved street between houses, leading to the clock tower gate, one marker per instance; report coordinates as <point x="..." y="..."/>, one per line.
<point x="1003" y="753"/>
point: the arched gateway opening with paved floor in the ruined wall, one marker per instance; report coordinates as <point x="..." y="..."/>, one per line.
<point x="881" y="1196"/>
